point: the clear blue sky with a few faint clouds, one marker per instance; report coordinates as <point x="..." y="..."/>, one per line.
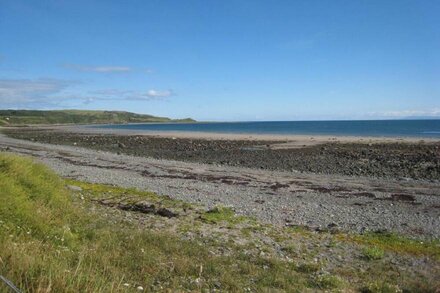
<point x="228" y="60"/>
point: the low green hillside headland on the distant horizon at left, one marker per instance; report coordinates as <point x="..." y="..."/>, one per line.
<point x="27" y="117"/>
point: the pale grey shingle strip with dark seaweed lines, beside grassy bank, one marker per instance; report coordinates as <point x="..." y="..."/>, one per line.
<point x="318" y="201"/>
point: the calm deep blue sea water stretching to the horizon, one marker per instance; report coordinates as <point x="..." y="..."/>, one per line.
<point x="404" y="128"/>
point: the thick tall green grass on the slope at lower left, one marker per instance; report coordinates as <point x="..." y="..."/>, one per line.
<point x="49" y="241"/>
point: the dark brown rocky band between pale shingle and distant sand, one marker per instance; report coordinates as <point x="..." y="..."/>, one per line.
<point x="419" y="160"/>
